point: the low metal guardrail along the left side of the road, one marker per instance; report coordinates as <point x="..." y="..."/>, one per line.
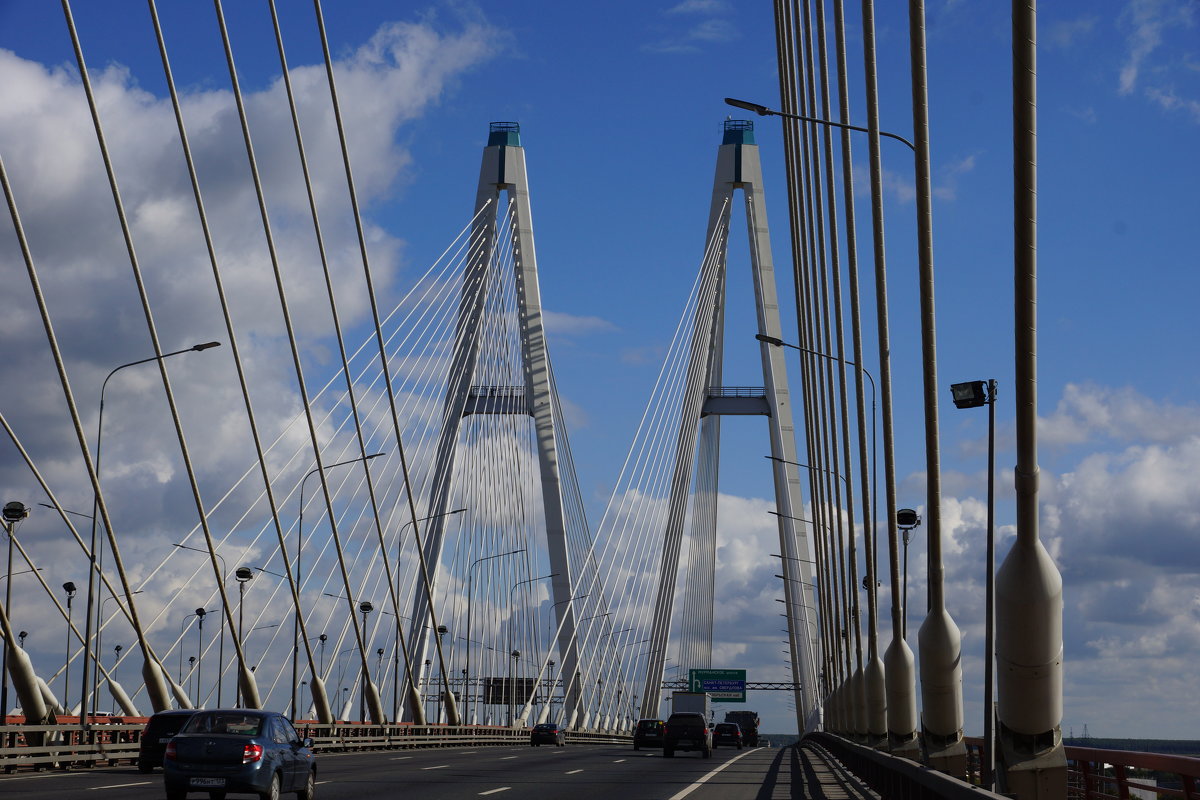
<point x="28" y="747"/>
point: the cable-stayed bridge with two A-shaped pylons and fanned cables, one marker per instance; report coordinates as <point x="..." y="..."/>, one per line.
<point x="399" y="534"/>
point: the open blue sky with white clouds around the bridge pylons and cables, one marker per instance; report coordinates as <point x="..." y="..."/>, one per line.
<point x="621" y="111"/>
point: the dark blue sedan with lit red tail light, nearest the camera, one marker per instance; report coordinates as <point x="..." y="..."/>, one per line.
<point x="239" y="751"/>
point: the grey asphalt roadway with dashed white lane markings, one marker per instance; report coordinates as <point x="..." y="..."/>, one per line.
<point x="572" y="773"/>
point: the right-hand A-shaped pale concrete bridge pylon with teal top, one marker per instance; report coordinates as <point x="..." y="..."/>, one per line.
<point x="699" y="440"/>
